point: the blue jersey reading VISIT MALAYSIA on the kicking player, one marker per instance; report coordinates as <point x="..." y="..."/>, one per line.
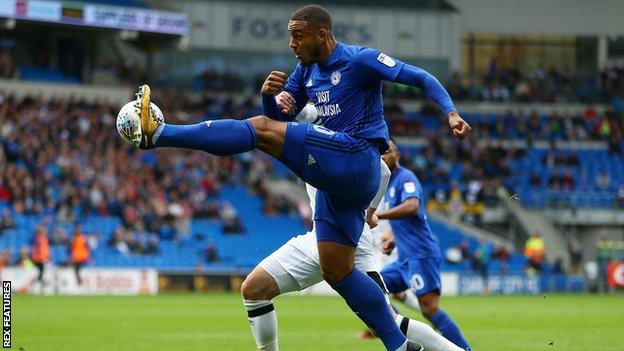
<point x="346" y="90"/>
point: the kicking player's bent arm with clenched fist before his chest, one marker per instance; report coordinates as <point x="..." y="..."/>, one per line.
<point x="274" y="84"/>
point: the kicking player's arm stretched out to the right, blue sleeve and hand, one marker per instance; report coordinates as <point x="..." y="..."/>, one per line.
<point x="379" y="66"/>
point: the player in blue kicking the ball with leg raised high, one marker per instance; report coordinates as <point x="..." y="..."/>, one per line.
<point x="341" y="161"/>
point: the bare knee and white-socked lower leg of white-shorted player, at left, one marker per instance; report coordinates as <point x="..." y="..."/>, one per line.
<point x="259" y="289"/>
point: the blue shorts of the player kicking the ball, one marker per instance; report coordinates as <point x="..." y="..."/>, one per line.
<point x="344" y="169"/>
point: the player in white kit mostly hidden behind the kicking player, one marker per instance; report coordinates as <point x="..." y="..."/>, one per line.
<point x="295" y="266"/>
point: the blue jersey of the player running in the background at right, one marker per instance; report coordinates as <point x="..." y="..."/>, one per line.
<point x="413" y="236"/>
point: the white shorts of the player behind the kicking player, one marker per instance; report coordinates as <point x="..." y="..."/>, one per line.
<point x="295" y="265"/>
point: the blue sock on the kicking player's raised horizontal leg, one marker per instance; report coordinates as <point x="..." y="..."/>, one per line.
<point x="222" y="137"/>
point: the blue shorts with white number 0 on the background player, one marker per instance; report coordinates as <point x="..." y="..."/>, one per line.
<point x="421" y="276"/>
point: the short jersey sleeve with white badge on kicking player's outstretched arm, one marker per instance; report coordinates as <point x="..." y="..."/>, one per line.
<point x="376" y="65"/>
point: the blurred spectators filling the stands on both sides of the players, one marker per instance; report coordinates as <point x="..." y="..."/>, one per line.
<point x="59" y="158"/>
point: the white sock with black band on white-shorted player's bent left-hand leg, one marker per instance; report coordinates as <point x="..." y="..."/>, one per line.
<point x="263" y="322"/>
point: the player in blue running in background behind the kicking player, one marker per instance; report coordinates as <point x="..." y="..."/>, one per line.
<point x="418" y="264"/>
